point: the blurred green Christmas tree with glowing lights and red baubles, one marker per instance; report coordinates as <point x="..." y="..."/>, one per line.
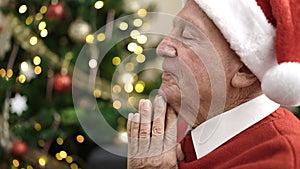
<point x="40" y="45"/>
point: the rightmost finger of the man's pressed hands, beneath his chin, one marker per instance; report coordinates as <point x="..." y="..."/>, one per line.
<point x="170" y="137"/>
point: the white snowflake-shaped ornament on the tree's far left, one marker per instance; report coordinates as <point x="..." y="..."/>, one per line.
<point x="18" y="104"/>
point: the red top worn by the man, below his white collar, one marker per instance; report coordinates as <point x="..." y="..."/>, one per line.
<point x="272" y="143"/>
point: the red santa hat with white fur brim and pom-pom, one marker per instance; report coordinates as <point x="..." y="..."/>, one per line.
<point x="266" y="36"/>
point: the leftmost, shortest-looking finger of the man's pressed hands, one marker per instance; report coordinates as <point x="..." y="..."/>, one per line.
<point x="134" y="133"/>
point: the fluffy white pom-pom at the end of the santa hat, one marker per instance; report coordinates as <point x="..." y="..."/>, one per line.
<point x="282" y="84"/>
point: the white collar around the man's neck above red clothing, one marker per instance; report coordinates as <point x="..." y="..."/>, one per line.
<point x="216" y="131"/>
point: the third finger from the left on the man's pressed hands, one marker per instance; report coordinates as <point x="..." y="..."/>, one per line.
<point x="158" y="126"/>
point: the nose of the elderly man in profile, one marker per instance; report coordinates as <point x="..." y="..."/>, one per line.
<point x="167" y="48"/>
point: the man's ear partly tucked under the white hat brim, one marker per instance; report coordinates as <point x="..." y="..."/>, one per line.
<point x="243" y="78"/>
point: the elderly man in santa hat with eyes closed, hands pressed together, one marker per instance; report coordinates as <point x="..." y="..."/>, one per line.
<point x="224" y="78"/>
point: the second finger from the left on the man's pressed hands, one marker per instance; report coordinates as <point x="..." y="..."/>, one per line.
<point x="145" y="126"/>
